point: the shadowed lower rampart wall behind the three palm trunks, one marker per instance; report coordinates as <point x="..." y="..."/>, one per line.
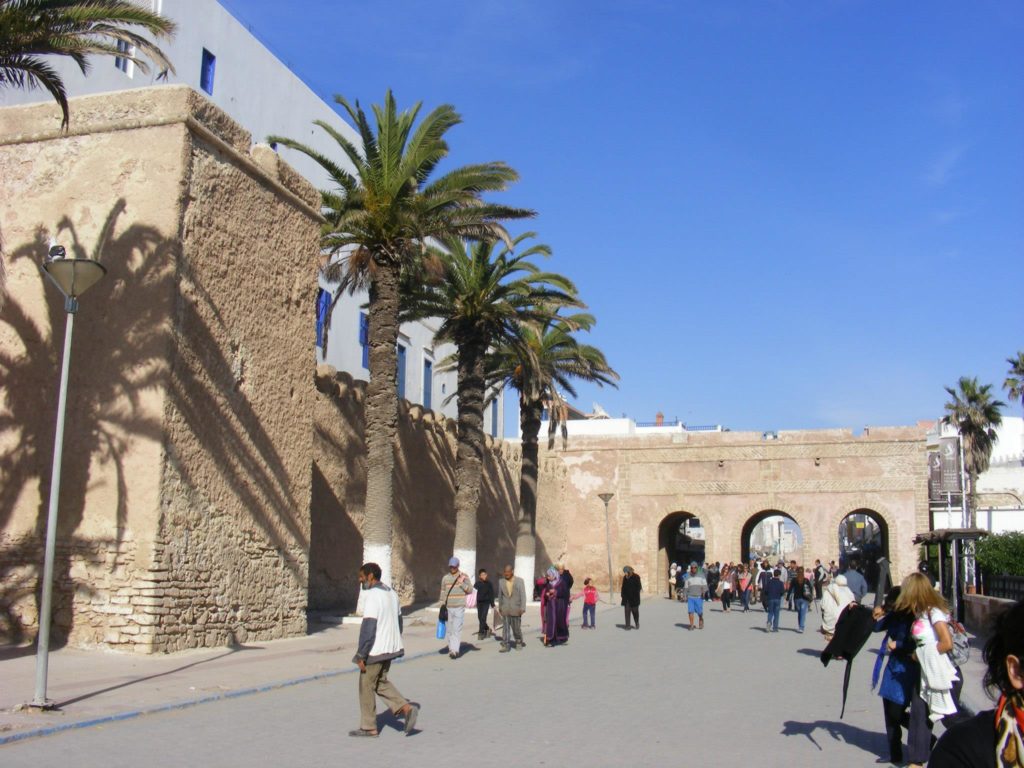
<point x="424" y="522"/>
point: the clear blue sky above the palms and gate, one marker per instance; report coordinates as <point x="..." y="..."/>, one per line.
<point x="784" y="215"/>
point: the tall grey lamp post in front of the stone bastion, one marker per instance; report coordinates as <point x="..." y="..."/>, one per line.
<point x="73" y="278"/>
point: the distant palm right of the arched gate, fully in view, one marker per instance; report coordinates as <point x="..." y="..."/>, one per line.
<point x="975" y="415"/>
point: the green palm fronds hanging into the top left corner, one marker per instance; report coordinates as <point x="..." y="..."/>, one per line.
<point x="76" y="29"/>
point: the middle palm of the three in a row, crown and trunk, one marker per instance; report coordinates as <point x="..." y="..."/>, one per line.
<point x="483" y="300"/>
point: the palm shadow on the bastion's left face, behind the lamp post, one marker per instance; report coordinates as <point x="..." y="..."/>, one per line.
<point x="118" y="354"/>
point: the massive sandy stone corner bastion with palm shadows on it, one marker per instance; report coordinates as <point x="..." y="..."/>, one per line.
<point x="187" y="486"/>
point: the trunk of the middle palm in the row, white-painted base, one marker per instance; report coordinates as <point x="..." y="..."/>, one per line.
<point x="470" y="460"/>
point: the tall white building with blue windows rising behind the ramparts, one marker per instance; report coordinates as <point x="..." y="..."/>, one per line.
<point x="219" y="56"/>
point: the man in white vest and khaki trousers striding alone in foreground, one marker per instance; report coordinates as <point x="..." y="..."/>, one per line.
<point x="380" y="643"/>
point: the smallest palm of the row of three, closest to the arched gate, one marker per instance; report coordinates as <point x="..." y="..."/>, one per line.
<point x="540" y="366"/>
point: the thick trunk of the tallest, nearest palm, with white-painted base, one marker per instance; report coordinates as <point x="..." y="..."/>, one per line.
<point x="381" y="419"/>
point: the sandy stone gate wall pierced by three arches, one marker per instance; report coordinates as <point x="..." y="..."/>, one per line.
<point x="731" y="481"/>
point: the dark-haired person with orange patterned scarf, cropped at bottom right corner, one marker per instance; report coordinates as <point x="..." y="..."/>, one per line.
<point x="995" y="737"/>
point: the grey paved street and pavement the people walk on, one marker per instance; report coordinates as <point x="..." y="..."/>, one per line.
<point x="730" y="694"/>
